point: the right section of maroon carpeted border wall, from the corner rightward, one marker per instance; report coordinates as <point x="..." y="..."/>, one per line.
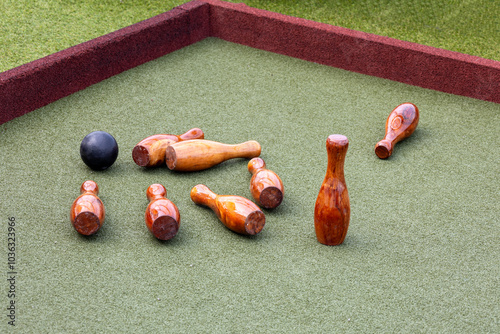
<point x="384" y="57"/>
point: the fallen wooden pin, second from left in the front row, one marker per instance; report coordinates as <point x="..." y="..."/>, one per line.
<point x="162" y="216"/>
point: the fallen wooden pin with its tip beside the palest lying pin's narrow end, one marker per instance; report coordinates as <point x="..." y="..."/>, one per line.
<point x="266" y="186"/>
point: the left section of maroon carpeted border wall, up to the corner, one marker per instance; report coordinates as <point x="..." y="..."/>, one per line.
<point x="43" y="81"/>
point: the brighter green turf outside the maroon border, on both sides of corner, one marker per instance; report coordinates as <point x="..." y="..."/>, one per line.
<point x="32" y="29"/>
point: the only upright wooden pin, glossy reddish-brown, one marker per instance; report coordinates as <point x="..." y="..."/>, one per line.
<point x="332" y="209"/>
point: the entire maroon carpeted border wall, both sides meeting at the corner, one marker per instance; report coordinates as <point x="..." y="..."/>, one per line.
<point x="43" y="81"/>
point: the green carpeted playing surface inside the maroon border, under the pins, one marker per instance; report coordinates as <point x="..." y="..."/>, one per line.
<point x="422" y="250"/>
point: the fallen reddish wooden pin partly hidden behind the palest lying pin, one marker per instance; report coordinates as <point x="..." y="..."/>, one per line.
<point x="150" y="151"/>
